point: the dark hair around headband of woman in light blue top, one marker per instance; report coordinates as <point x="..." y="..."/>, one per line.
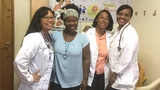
<point x="70" y="6"/>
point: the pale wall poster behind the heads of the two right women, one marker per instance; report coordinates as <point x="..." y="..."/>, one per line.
<point x="90" y="8"/>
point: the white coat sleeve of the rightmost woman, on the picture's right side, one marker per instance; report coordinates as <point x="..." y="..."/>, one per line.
<point x="128" y="54"/>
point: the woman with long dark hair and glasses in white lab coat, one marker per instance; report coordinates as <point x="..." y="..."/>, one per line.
<point x="34" y="61"/>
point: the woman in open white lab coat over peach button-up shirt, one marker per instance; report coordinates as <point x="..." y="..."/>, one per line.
<point x="99" y="38"/>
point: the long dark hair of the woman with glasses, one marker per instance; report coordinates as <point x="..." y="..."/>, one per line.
<point x="35" y="25"/>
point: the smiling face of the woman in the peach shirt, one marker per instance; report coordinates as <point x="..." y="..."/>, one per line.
<point x="103" y="20"/>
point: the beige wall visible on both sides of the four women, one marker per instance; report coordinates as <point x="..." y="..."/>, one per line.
<point x="146" y="26"/>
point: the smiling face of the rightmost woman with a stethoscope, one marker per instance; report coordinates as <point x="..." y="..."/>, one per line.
<point x="123" y="17"/>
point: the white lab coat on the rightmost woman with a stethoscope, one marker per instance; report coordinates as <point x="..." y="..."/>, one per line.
<point x="124" y="62"/>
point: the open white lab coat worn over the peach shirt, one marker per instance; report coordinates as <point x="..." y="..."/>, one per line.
<point x="94" y="55"/>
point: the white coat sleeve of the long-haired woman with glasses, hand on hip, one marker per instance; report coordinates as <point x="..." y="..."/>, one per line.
<point x="27" y="51"/>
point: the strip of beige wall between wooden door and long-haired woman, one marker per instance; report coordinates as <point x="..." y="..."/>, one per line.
<point x="21" y="22"/>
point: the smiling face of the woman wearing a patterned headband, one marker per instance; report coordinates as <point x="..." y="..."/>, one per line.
<point x="71" y="23"/>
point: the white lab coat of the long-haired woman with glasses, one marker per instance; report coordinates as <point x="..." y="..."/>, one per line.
<point x="33" y="55"/>
